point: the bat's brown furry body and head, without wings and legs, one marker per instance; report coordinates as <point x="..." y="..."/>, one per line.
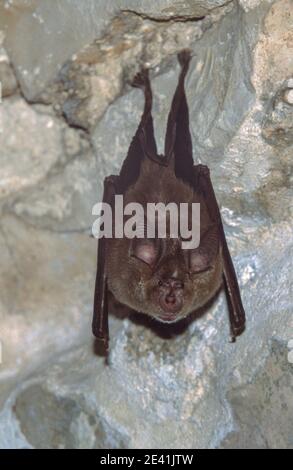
<point x="157" y="276"/>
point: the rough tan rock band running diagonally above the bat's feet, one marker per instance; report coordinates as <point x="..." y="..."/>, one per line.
<point x="82" y="90"/>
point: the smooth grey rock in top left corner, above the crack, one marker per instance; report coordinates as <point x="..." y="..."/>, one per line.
<point x="40" y="29"/>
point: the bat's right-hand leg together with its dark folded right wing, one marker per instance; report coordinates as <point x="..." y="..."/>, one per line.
<point x="178" y="145"/>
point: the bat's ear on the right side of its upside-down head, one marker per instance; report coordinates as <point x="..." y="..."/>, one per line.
<point x="201" y="258"/>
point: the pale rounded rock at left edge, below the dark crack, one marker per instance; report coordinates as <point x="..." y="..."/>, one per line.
<point x="30" y="143"/>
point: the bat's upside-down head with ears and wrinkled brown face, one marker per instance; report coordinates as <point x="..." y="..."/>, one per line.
<point x="163" y="280"/>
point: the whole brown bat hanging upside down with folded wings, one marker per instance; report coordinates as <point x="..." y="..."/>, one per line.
<point x="156" y="276"/>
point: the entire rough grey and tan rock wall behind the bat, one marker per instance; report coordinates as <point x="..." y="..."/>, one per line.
<point x="185" y="386"/>
